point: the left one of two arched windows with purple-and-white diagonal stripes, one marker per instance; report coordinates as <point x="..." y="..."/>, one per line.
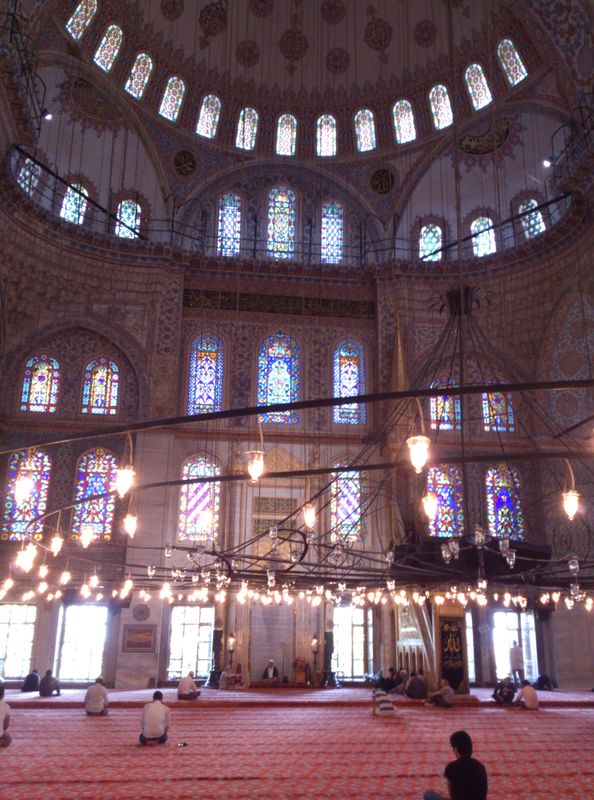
<point x="199" y="503"/>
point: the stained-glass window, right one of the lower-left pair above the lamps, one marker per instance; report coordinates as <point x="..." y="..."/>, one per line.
<point x="96" y="474"/>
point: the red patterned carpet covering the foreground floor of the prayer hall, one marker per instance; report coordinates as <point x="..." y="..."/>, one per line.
<point x="294" y="753"/>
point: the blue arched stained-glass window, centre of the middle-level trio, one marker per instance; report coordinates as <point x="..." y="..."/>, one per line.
<point x="279" y="367"/>
